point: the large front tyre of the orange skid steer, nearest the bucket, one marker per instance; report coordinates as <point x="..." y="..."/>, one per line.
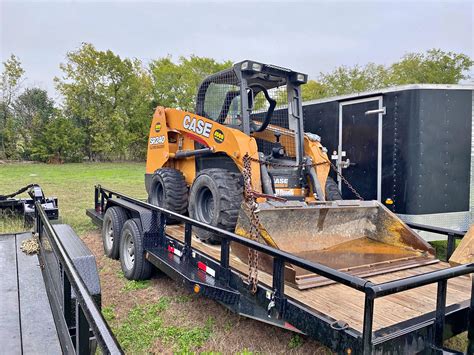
<point x="215" y="199"/>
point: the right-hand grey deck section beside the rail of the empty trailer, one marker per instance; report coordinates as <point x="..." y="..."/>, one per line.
<point x="38" y="331"/>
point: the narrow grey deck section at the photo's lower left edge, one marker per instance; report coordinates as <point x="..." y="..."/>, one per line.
<point x="10" y="331"/>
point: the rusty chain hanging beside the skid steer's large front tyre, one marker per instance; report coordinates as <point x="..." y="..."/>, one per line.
<point x="249" y="199"/>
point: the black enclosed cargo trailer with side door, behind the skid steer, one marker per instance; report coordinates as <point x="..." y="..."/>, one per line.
<point x="409" y="147"/>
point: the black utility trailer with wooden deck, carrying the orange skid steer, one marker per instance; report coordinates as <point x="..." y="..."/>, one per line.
<point x="405" y="311"/>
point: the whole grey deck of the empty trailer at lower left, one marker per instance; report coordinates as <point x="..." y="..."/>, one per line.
<point x="26" y="320"/>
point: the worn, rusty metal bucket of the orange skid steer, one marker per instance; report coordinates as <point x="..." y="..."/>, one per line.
<point x="359" y="237"/>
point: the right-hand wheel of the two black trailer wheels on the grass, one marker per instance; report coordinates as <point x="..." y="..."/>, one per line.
<point x="139" y="268"/>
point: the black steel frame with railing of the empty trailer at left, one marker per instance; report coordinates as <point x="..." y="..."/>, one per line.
<point x="77" y="316"/>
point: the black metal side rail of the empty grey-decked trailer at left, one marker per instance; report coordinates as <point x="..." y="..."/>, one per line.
<point x="88" y="316"/>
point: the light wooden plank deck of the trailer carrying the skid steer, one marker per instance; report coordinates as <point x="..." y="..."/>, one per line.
<point x="344" y="303"/>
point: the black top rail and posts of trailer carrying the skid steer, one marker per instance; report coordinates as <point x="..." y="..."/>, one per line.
<point x="366" y="340"/>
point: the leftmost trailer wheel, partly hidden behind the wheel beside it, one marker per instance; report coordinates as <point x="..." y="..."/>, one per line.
<point x="114" y="219"/>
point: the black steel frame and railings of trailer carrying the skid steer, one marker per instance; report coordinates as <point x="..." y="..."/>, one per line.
<point x="184" y="263"/>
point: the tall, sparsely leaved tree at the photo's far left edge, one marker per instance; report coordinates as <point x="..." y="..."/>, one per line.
<point x="10" y="85"/>
